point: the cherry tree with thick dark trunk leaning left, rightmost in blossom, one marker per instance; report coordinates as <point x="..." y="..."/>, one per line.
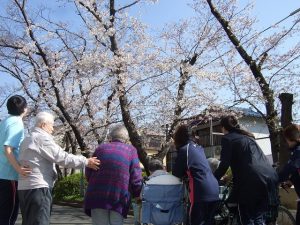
<point x="264" y="63"/>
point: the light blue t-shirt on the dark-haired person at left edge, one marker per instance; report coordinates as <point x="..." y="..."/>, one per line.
<point x="11" y="134"/>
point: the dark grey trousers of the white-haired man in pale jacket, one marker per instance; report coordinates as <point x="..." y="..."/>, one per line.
<point x="35" y="205"/>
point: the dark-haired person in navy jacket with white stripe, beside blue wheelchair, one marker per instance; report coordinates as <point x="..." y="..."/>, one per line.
<point x="191" y="162"/>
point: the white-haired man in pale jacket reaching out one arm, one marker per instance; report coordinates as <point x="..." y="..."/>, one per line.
<point x="40" y="153"/>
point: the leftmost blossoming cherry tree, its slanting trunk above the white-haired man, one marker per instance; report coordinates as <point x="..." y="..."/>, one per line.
<point x="55" y="68"/>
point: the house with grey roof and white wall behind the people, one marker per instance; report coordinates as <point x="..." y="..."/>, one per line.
<point x="206" y="127"/>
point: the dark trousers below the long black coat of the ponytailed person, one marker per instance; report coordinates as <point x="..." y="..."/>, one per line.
<point x="253" y="214"/>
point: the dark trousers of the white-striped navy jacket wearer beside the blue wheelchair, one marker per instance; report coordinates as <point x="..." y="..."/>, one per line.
<point x="202" y="213"/>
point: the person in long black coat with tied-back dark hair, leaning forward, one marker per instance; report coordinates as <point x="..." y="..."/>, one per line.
<point x="254" y="179"/>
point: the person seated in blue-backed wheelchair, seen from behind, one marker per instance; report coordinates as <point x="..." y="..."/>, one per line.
<point x="162" y="197"/>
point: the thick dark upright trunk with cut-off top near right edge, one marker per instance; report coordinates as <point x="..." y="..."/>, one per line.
<point x="286" y="100"/>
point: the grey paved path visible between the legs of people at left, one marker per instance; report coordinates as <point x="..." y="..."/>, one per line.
<point x="71" y="216"/>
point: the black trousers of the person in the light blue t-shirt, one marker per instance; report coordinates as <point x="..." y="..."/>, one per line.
<point x="9" y="202"/>
